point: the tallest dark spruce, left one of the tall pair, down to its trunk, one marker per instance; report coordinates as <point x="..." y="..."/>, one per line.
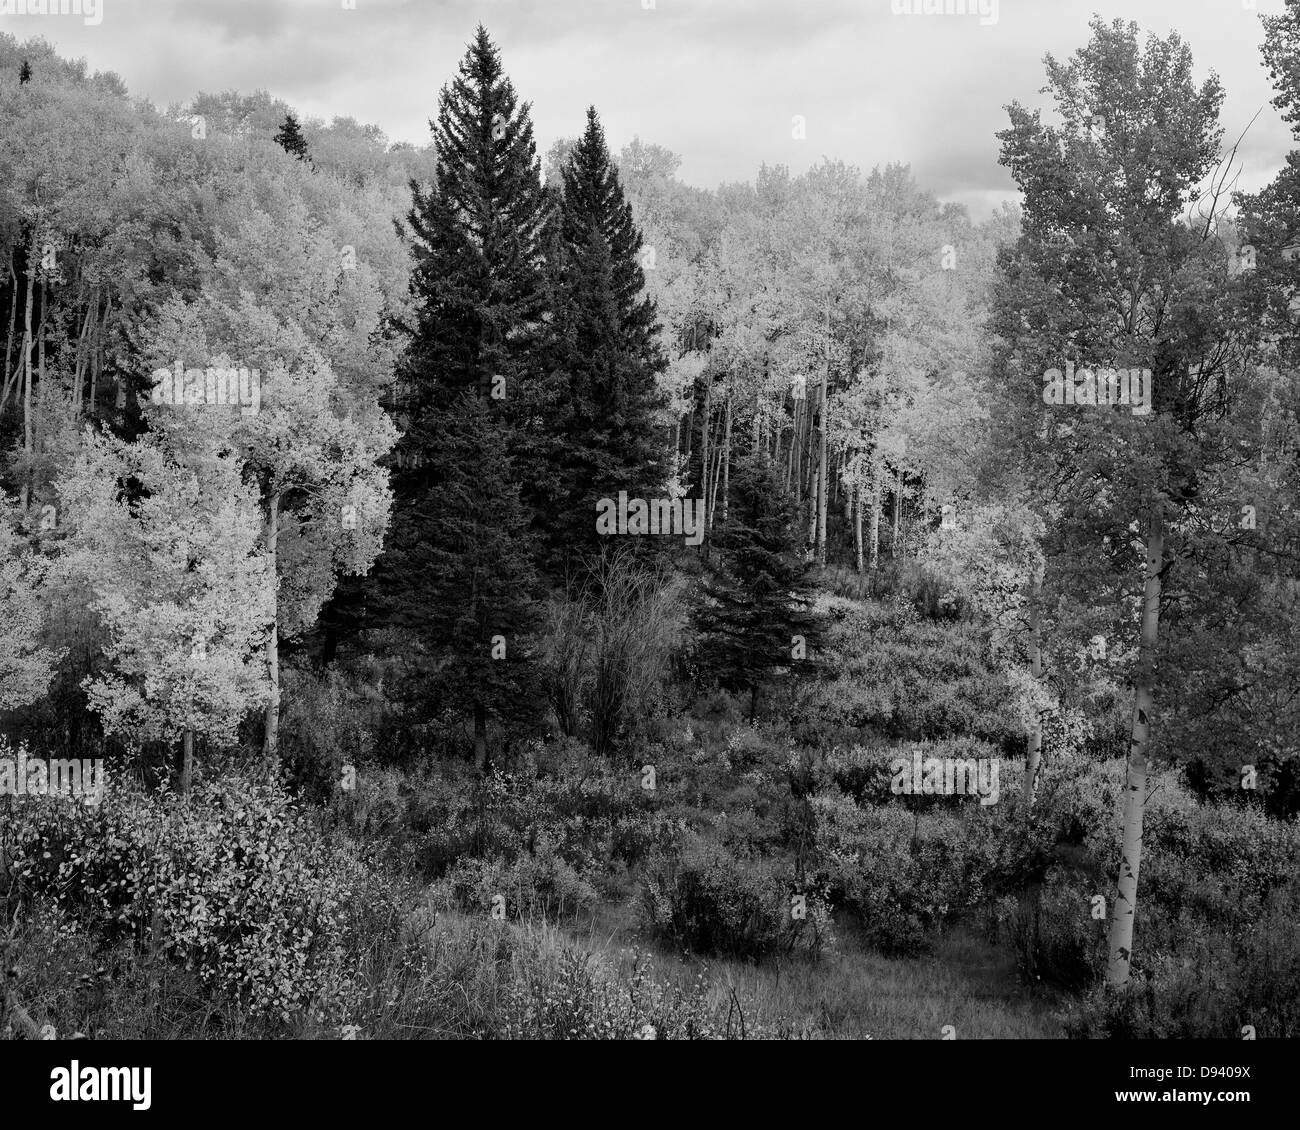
<point x="458" y="572"/>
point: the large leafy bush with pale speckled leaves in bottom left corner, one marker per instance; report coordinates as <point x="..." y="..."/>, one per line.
<point x="237" y="885"/>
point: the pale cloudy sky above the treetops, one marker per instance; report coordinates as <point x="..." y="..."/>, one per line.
<point x="717" y="81"/>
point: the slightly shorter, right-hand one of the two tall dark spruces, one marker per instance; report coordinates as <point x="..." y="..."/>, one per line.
<point x="605" y="353"/>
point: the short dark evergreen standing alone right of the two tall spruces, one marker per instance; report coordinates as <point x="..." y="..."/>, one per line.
<point x="759" y="617"/>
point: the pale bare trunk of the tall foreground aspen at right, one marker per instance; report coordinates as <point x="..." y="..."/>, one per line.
<point x="1136" y="786"/>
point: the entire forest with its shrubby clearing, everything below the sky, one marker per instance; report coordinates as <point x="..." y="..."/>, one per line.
<point x="463" y="592"/>
